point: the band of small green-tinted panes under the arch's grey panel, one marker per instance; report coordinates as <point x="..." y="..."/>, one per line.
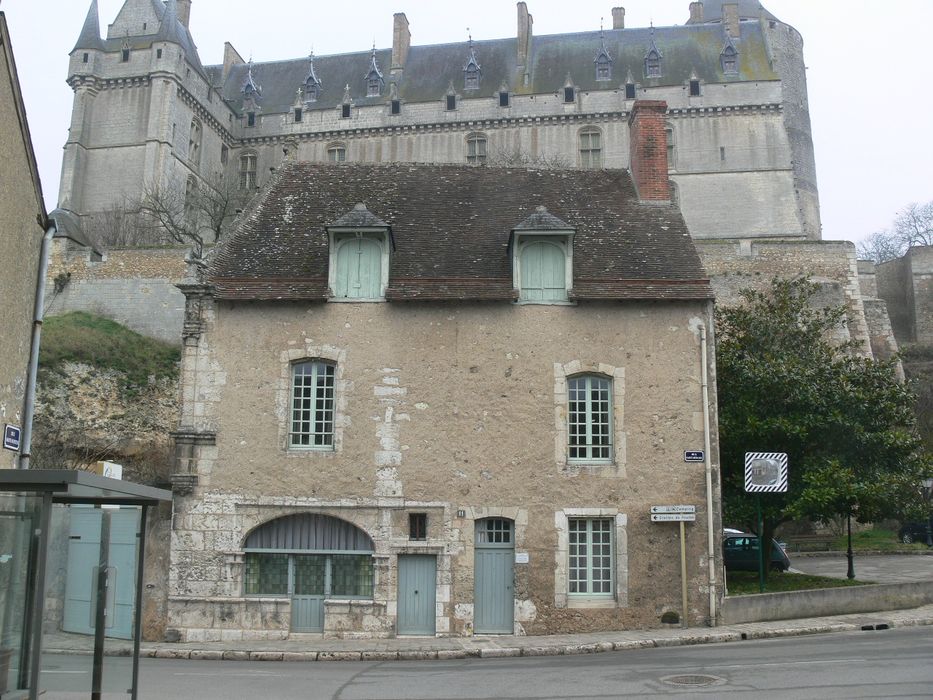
<point x="328" y="575"/>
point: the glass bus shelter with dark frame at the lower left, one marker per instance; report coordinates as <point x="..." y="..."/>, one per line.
<point x="72" y="547"/>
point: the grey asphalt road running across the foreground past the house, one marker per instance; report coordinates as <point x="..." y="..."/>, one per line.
<point x="877" y="664"/>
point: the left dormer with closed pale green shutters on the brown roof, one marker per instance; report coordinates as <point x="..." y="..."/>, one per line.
<point x="359" y="256"/>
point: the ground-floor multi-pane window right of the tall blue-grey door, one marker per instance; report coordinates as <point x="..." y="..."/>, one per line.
<point x="590" y="550"/>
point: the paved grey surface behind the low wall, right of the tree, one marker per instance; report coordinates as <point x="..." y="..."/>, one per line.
<point x="885" y="568"/>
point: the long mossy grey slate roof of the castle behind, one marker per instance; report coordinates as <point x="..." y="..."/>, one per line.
<point x="429" y="70"/>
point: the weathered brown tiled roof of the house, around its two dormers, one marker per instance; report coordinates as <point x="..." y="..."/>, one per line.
<point x="452" y="229"/>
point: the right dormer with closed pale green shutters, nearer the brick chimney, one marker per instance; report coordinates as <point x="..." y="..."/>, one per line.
<point x="542" y="259"/>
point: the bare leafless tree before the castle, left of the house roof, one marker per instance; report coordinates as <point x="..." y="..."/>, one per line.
<point x="193" y="213"/>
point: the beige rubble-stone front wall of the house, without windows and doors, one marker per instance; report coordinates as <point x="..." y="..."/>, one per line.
<point x="454" y="410"/>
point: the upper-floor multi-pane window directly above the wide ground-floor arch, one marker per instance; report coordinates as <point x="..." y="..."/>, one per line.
<point x="312" y="405"/>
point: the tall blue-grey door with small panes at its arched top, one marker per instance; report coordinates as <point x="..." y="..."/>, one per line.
<point x="494" y="578"/>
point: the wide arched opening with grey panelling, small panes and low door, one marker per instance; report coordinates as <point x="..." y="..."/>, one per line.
<point x="309" y="557"/>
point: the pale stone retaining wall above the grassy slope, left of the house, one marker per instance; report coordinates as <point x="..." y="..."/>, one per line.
<point x="133" y="286"/>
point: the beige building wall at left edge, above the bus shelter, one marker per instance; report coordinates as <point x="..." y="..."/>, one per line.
<point x="22" y="224"/>
